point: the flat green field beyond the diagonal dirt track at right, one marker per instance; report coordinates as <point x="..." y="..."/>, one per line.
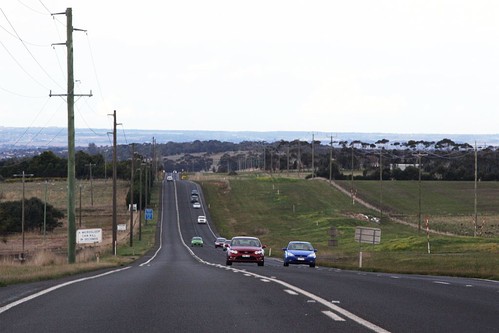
<point x="449" y="206"/>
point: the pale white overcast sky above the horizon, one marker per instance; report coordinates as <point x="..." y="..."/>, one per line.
<point x="369" y="66"/>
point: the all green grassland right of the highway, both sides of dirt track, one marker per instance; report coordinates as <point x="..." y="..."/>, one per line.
<point x="279" y="210"/>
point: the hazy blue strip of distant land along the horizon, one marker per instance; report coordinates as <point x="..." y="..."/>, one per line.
<point x="19" y="142"/>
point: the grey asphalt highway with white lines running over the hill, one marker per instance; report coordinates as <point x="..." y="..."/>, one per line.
<point x="179" y="288"/>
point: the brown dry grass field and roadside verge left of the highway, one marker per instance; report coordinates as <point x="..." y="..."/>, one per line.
<point x="46" y="255"/>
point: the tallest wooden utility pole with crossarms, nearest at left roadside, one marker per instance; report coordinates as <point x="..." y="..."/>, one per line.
<point x="71" y="134"/>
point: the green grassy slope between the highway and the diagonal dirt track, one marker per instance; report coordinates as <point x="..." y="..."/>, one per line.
<point x="279" y="209"/>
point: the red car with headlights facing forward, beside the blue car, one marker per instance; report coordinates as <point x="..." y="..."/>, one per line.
<point x="245" y="249"/>
